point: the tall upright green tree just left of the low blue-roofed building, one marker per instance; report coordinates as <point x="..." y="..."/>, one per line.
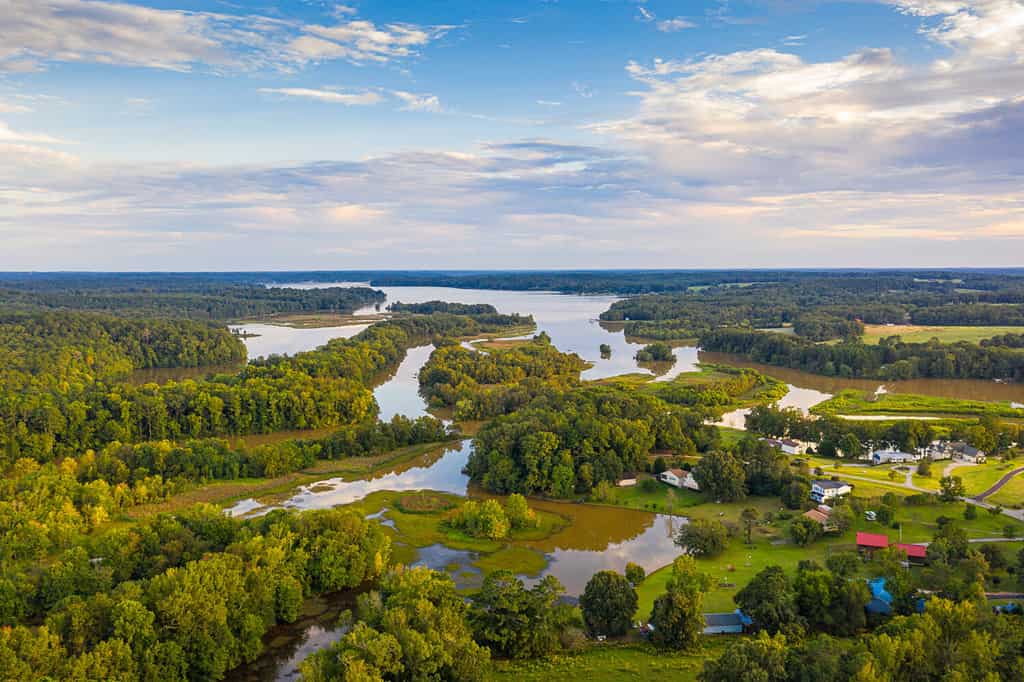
<point x="678" y="615"/>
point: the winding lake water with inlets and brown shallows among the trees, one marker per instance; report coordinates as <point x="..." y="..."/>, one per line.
<point x="599" y="537"/>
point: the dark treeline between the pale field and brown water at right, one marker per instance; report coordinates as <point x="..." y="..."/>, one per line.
<point x="889" y="360"/>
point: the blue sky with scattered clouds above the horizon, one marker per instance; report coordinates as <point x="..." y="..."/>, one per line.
<point x="309" y="135"/>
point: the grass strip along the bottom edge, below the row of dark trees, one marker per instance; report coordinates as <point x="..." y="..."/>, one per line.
<point x="612" y="662"/>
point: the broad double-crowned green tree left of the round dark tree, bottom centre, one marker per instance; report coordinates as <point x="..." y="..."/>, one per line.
<point x="515" y="622"/>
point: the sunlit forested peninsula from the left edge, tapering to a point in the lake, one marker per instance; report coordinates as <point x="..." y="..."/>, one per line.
<point x="60" y="411"/>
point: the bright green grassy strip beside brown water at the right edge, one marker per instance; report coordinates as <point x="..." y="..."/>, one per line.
<point x="857" y="403"/>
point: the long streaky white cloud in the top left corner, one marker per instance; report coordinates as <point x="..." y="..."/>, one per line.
<point x="36" y="32"/>
